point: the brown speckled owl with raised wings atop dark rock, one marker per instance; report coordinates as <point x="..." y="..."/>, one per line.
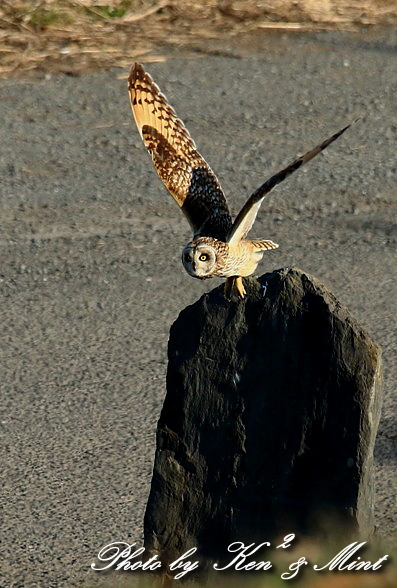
<point x="219" y="246"/>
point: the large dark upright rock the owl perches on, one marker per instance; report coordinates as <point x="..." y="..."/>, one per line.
<point x="269" y="421"/>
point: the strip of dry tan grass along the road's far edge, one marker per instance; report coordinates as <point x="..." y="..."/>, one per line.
<point x="76" y="35"/>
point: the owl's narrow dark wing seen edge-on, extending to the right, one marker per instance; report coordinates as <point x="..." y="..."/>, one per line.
<point x="246" y="217"/>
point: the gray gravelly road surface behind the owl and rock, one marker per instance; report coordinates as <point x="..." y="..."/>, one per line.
<point x="91" y="278"/>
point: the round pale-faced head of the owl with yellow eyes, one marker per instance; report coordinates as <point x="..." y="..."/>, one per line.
<point x="203" y="257"/>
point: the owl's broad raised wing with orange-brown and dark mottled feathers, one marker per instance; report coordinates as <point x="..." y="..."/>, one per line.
<point x="185" y="174"/>
